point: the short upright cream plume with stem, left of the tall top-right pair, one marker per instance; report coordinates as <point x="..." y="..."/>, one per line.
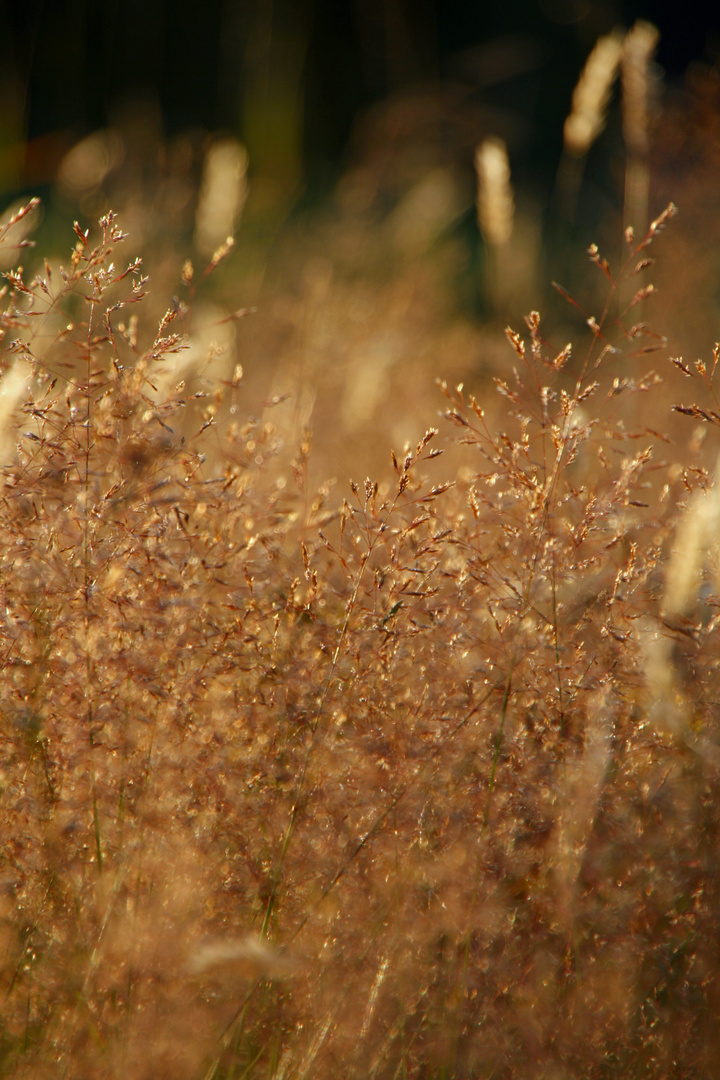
<point x="496" y="210"/>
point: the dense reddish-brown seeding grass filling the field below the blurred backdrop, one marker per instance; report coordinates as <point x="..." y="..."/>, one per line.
<point x="416" y="776"/>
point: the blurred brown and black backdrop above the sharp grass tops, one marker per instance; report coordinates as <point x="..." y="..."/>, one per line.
<point x="336" y="141"/>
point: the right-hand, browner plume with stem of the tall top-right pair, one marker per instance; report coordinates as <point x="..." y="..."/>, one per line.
<point x="639" y="50"/>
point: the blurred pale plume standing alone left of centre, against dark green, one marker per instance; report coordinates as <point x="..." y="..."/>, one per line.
<point x="223" y="194"/>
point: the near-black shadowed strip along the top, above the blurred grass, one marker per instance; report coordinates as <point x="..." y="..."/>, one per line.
<point x="291" y="77"/>
